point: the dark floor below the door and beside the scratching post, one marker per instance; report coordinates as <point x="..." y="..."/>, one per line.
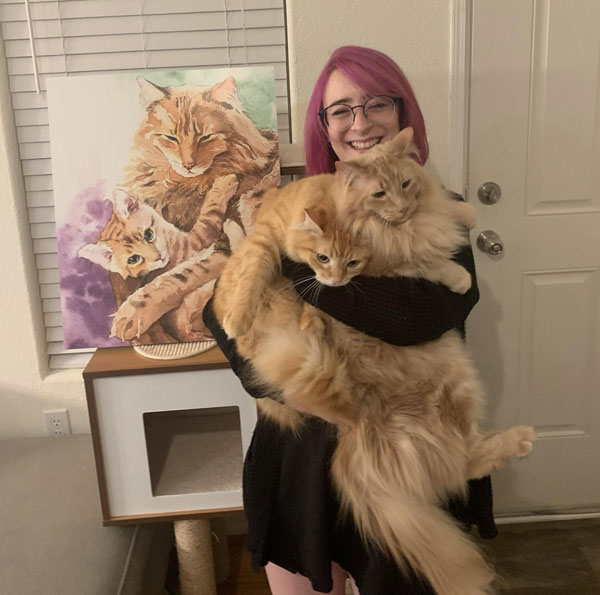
<point x="548" y="558"/>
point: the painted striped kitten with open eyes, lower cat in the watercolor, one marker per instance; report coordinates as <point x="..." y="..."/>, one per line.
<point x="180" y="266"/>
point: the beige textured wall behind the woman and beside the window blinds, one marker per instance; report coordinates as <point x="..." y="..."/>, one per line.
<point x="415" y="34"/>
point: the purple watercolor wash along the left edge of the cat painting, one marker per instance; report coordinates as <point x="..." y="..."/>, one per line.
<point x="86" y="294"/>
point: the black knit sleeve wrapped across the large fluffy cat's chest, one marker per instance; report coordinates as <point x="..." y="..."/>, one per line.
<point x="398" y="310"/>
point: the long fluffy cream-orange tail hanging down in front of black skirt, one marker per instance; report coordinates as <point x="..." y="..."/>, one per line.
<point x="397" y="520"/>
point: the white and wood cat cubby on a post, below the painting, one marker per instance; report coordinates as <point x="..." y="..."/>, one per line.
<point x="169" y="440"/>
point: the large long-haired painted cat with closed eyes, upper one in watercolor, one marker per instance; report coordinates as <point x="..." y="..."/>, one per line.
<point x="190" y="137"/>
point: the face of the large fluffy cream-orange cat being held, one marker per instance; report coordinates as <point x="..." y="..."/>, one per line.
<point x="386" y="182"/>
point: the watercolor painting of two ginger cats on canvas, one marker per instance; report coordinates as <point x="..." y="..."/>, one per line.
<point x="157" y="176"/>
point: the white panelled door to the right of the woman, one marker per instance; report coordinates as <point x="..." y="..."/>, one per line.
<point x="535" y="335"/>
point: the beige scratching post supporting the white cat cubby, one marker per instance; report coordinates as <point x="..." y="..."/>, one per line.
<point x="194" y="542"/>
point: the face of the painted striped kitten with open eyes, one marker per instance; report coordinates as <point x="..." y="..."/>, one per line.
<point x="132" y="243"/>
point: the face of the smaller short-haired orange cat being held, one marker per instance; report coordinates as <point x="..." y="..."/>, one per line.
<point x="335" y="257"/>
